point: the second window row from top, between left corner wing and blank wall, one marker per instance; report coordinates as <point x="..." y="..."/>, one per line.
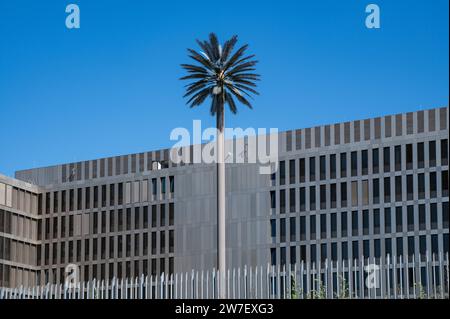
<point x="121" y="220"/>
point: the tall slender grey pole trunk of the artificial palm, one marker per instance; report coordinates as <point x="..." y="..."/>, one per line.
<point x="221" y="221"/>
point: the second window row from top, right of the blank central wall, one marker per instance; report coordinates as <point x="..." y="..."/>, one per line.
<point x="404" y="190"/>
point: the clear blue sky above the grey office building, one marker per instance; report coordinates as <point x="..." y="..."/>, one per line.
<point x="111" y="87"/>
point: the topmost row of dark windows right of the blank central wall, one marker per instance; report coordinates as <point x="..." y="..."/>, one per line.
<point x="359" y="162"/>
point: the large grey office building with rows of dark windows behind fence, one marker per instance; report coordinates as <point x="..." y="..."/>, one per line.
<point x="366" y="188"/>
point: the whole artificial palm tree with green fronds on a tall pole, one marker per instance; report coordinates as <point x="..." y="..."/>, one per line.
<point x="223" y="76"/>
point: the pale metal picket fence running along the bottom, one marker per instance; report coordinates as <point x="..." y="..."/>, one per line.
<point x="391" y="278"/>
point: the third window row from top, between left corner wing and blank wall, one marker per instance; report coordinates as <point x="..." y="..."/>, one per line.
<point x="95" y="249"/>
